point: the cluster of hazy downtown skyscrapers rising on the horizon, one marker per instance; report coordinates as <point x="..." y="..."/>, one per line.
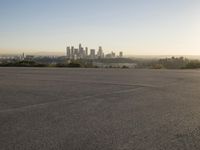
<point x="84" y="53"/>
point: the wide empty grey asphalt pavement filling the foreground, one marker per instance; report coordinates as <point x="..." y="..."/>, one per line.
<point x="99" y="109"/>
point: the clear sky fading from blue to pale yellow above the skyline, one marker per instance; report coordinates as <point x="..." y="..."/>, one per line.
<point x="141" y="27"/>
